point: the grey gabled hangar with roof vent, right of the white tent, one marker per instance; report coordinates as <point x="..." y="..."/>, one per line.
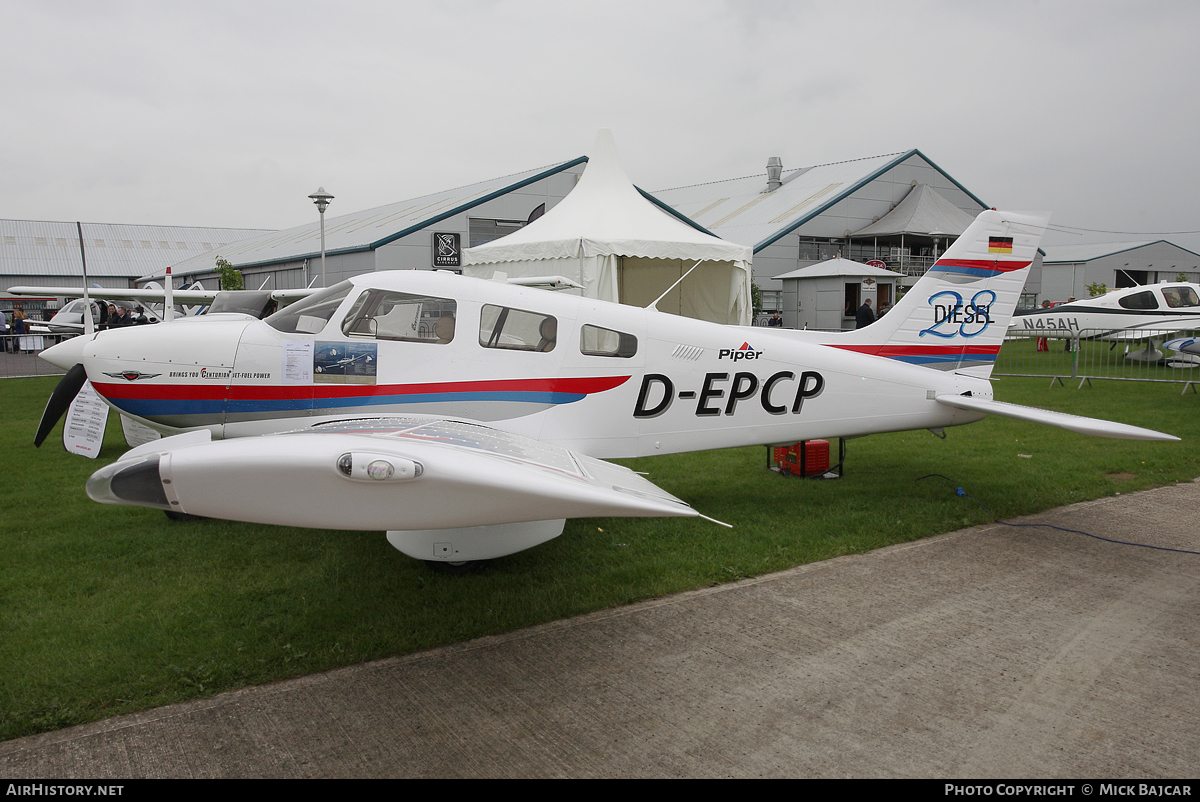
<point x="899" y="210"/>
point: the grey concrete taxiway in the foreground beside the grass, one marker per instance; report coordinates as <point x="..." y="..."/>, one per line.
<point x="988" y="653"/>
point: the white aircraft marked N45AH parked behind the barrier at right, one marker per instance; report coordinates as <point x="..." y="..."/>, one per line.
<point x="1126" y="315"/>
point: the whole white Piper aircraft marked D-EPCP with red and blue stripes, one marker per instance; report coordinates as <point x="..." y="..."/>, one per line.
<point x="484" y="414"/>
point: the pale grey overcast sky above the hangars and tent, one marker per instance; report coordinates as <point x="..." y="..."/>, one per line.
<point x="232" y="113"/>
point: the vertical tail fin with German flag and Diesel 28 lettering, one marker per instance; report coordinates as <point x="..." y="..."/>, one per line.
<point x="957" y="315"/>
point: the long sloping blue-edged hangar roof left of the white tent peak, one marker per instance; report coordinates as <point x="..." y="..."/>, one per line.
<point x="370" y="229"/>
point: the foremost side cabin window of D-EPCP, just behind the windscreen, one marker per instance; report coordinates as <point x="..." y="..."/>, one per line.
<point x="389" y="315"/>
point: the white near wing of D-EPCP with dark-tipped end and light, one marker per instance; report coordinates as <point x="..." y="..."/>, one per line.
<point x="383" y="474"/>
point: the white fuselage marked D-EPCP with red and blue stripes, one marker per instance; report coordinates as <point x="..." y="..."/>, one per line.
<point x="602" y="379"/>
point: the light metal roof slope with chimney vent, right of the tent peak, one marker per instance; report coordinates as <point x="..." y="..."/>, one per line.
<point x="743" y="212"/>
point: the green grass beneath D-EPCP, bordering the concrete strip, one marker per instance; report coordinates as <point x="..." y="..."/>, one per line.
<point x="106" y="611"/>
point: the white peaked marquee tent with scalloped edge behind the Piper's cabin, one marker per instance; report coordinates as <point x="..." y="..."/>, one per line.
<point x="622" y="248"/>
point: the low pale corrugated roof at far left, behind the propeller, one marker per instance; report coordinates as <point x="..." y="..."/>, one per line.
<point x="35" y="248"/>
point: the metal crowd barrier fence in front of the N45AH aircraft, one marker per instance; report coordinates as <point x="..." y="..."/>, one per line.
<point x="1129" y="356"/>
